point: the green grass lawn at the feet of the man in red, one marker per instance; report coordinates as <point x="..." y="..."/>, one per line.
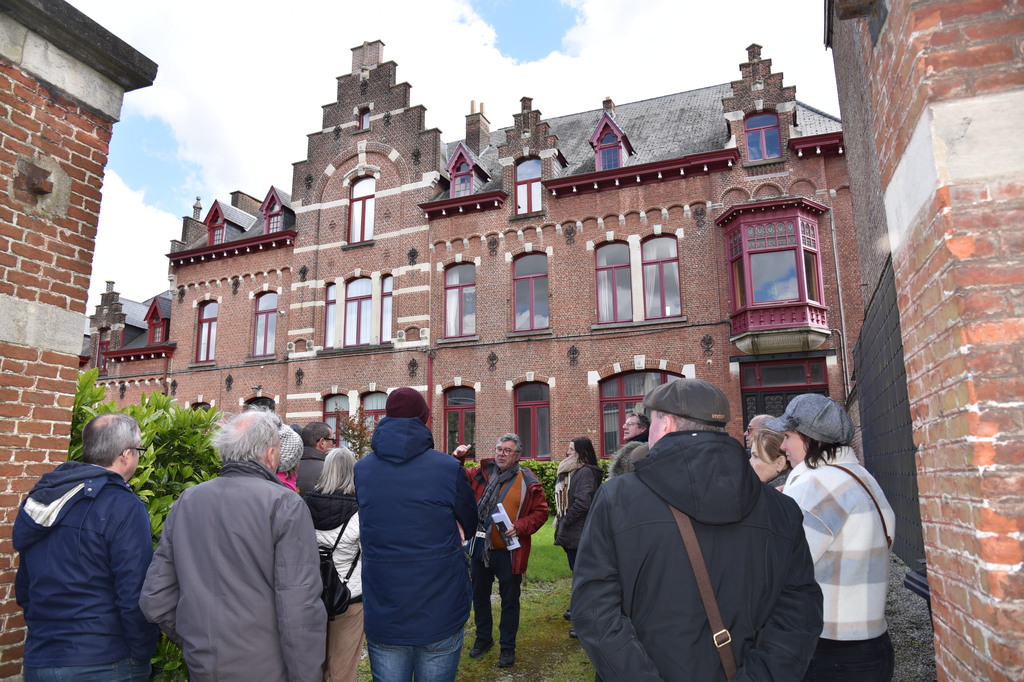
<point x="544" y="650"/>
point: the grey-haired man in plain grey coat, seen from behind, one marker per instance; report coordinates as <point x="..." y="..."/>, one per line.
<point x="236" y="578"/>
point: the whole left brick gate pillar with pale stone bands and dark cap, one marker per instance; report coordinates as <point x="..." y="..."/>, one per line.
<point x="63" y="78"/>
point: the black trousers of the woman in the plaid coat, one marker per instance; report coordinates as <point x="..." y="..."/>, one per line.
<point x="858" y="661"/>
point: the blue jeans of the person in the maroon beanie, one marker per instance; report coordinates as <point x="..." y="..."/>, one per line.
<point x="431" y="663"/>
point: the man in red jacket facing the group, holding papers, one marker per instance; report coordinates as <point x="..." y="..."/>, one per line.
<point x="520" y="492"/>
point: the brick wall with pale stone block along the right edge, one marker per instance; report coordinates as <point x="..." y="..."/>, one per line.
<point x="931" y="95"/>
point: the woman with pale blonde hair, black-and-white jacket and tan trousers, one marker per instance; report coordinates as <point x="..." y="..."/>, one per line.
<point x="335" y="514"/>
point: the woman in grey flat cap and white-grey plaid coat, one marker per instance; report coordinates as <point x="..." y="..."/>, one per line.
<point x="849" y="526"/>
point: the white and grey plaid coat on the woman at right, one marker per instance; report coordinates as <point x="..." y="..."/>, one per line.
<point x="848" y="546"/>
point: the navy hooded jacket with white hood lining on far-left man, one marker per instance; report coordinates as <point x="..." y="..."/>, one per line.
<point x="86" y="545"/>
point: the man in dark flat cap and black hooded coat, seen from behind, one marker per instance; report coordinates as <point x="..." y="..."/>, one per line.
<point x="636" y="606"/>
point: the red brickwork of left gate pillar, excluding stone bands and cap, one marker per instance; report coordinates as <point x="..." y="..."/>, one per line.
<point x="47" y="244"/>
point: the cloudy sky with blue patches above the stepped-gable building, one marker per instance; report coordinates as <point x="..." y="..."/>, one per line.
<point x="241" y="86"/>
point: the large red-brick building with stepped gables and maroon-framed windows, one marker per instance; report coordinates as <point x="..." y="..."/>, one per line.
<point x="536" y="279"/>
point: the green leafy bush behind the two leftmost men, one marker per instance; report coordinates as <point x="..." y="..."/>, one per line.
<point x="179" y="455"/>
